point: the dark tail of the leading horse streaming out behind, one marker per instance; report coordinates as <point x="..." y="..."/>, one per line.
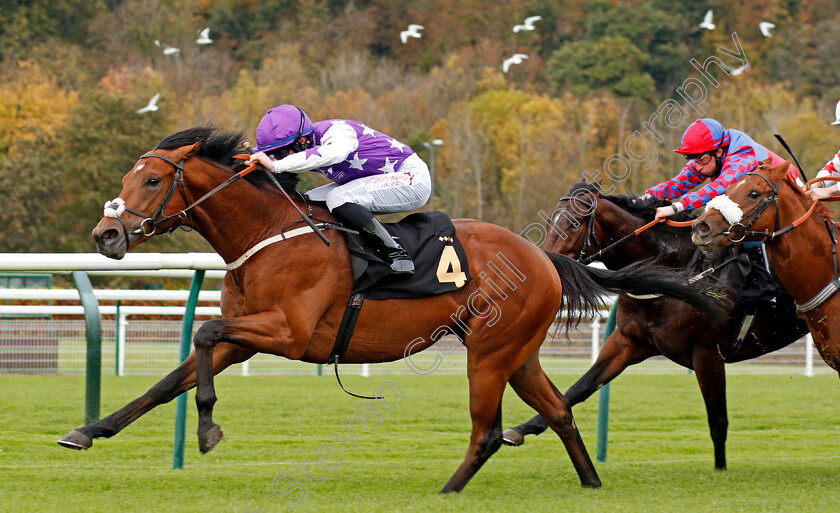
<point x="584" y="286"/>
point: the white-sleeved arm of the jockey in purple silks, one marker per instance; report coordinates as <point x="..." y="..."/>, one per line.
<point x="337" y="143"/>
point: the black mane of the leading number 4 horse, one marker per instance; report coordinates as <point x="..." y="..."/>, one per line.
<point x="220" y="147"/>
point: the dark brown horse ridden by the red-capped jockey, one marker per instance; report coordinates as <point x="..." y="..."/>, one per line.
<point x="583" y="225"/>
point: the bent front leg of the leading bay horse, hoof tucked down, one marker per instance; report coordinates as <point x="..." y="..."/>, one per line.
<point x="267" y="332"/>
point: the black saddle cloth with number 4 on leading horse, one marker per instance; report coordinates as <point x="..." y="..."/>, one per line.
<point x="425" y="236"/>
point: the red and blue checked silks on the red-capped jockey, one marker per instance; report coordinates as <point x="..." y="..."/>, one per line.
<point x="742" y="156"/>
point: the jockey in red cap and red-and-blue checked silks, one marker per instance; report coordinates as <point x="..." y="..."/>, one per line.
<point x="722" y="155"/>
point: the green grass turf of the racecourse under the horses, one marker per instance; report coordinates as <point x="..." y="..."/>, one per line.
<point x="783" y="449"/>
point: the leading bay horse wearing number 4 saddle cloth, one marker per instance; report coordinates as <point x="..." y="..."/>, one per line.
<point x="287" y="299"/>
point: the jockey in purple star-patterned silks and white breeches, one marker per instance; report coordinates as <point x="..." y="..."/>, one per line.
<point x="372" y="173"/>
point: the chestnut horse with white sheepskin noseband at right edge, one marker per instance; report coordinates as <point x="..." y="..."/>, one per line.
<point x="766" y="205"/>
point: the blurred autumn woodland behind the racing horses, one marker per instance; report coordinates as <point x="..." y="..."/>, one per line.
<point x="74" y="73"/>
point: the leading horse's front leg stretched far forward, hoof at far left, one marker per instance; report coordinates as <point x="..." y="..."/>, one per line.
<point x="174" y="384"/>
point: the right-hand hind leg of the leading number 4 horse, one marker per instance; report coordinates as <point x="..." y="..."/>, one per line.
<point x="534" y="387"/>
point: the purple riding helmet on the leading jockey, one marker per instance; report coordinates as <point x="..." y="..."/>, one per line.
<point x="280" y="129"/>
